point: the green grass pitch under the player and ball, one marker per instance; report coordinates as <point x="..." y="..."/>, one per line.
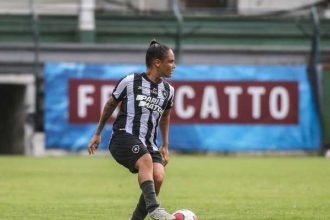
<point x="213" y="187"/>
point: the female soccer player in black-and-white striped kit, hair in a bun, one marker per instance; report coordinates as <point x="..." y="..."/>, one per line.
<point x="146" y="101"/>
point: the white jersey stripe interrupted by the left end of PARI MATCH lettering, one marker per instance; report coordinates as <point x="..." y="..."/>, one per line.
<point x="145" y="113"/>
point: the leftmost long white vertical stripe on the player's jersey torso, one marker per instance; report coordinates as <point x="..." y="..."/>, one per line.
<point x="130" y="104"/>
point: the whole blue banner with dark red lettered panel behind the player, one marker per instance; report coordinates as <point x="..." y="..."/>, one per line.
<point x="216" y="107"/>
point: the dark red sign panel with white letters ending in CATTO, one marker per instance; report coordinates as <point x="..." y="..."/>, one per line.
<point x="199" y="102"/>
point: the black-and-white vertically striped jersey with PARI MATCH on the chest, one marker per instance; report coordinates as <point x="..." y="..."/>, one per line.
<point x="143" y="103"/>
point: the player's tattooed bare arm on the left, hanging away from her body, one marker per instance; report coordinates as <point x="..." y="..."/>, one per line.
<point x="108" y="109"/>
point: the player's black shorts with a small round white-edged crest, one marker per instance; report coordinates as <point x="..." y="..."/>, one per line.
<point x="126" y="149"/>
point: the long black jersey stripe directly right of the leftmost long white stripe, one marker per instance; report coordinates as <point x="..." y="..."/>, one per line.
<point x="137" y="83"/>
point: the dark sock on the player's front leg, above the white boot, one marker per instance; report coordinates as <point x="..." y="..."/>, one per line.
<point x="149" y="194"/>
